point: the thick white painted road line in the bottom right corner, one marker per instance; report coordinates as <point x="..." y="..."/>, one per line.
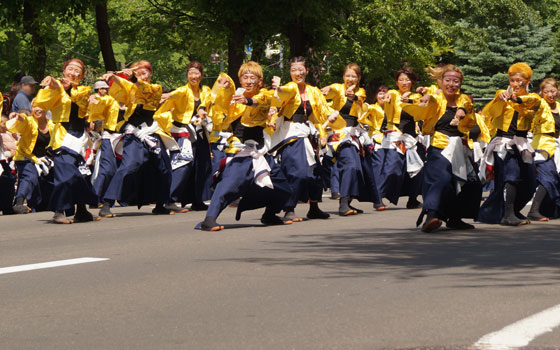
<point x="521" y="333"/>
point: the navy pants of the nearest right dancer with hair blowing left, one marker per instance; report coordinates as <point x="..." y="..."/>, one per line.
<point x="439" y="193"/>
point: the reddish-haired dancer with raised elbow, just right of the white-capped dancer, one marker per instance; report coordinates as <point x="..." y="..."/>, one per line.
<point x="144" y="175"/>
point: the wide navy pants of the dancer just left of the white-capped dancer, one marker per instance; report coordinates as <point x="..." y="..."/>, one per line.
<point x="70" y="186"/>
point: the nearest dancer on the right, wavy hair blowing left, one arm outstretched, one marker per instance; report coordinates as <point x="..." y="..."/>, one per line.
<point x="451" y="189"/>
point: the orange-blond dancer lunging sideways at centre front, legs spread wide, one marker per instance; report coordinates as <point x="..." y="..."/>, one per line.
<point x="247" y="172"/>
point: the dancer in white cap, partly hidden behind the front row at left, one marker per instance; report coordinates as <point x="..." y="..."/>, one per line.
<point x="104" y="108"/>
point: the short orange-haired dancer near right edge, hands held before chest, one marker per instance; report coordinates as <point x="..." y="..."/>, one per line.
<point x="508" y="159"/>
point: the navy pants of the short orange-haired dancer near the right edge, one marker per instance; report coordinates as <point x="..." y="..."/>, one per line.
<point x="511" y="169"/>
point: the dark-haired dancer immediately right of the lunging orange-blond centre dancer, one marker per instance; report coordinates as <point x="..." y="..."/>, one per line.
<point x="302" y="111"/>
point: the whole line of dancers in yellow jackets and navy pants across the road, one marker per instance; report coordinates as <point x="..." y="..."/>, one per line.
<point x="272" y="147"/>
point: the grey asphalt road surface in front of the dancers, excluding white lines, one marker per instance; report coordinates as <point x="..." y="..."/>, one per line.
<point x="371" y="281"/>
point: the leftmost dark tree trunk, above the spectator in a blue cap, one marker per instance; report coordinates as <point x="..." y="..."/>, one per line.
<point x="38" y="67"/>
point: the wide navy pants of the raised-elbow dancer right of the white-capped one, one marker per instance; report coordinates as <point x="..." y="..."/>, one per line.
<point x="143" y="177"/>
